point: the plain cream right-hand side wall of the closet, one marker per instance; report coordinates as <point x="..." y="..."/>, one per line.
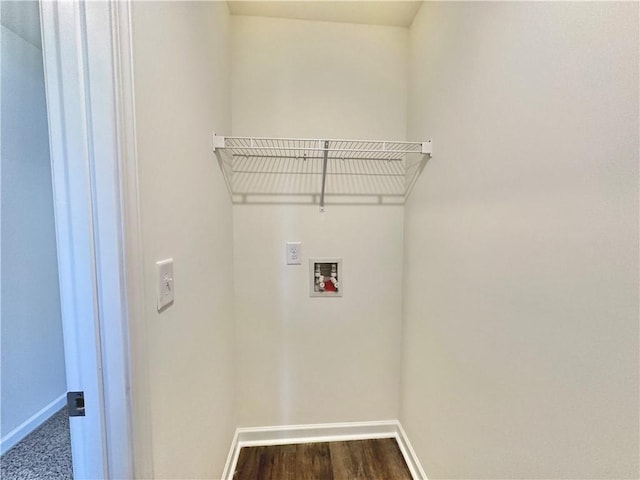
<point x="521" y="237"/>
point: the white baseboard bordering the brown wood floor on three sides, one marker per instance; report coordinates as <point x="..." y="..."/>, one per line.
<point x="327" y="432"/>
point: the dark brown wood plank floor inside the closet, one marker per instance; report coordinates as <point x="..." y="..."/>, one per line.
<point x="378" y="459"/>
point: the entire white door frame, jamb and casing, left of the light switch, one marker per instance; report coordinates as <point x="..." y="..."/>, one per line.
<point x="87" y="50"/>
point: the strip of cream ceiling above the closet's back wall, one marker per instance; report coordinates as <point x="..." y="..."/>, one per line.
<point x="398" y="13"/>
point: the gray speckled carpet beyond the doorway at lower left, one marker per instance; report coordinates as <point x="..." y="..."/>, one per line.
<point x="43" y="454"/>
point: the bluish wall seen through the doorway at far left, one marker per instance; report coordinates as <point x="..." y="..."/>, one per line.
<point x="33" y="370"/>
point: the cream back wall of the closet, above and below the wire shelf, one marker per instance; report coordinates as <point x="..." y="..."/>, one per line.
<point x="302" y="359"/>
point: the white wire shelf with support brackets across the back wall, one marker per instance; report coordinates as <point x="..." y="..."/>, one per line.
<point x="310" y="171"/>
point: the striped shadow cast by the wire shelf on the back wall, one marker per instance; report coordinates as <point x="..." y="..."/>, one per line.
<point x="296" y="177"/>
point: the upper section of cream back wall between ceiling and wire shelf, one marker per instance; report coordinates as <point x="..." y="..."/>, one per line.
<point x="297" y="78"/>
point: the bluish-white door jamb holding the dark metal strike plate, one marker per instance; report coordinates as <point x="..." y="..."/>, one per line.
<point x="64" y="37"/>
